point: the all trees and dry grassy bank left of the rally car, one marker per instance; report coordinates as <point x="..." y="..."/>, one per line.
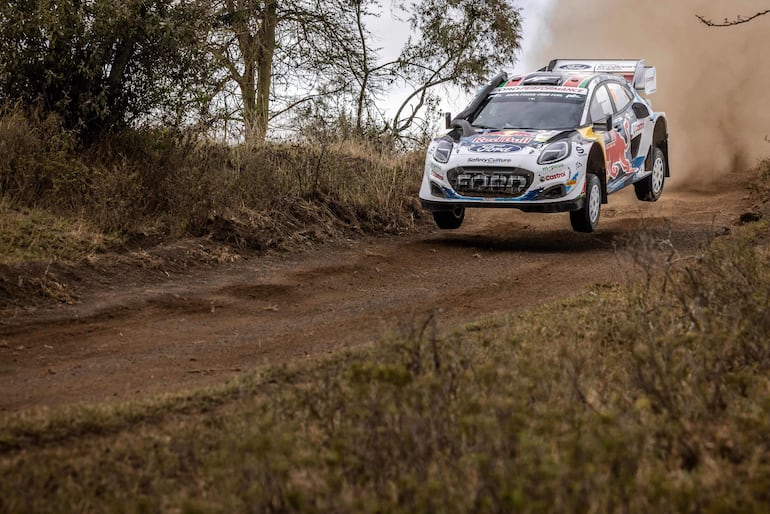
<point x="251" y="125"/>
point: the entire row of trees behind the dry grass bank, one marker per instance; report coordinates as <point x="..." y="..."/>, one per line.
<point x="245" y="68"/>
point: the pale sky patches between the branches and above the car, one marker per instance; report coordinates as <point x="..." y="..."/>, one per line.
<point x="391" y="34"/>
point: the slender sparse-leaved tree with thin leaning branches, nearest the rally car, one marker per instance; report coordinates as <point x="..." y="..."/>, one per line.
<point x="457" y="42"/>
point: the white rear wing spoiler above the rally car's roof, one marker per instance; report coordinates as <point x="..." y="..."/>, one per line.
<point x="643" y="78"/>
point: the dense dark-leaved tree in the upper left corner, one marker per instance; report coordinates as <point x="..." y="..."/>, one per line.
<point x="102" y="64"/>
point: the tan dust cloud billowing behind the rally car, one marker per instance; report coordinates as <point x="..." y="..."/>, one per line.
<point x="713" y="83"/>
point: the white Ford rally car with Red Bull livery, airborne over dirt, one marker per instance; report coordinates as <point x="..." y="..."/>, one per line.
<point x="560" y="139"/>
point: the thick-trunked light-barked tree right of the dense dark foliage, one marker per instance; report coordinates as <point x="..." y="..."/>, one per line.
<point x="295" y="46"/>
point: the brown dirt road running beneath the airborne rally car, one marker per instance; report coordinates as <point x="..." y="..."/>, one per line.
<point x="140" y="337"/>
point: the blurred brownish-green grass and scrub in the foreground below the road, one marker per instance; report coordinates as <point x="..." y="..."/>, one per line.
<point x="647" y="397"/>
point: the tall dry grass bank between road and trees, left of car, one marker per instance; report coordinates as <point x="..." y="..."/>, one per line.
<point x="169" y="185"/>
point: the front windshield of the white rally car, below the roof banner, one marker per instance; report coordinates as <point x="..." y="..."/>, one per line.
<point x="531" y="108"/>
